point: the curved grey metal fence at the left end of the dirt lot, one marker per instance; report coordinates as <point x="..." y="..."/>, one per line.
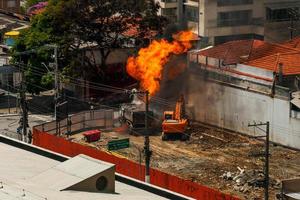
<point x="102" y="119"/>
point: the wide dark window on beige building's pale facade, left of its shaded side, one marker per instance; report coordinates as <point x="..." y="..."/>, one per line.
<point x="235" y="18"/>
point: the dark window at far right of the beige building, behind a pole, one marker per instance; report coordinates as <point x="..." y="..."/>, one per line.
<point x="283" y="14"/>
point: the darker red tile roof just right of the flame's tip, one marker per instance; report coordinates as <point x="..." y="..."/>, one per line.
<point x="234" y="51"/>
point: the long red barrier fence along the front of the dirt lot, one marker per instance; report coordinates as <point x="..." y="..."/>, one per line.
<point x="129" y="168"/>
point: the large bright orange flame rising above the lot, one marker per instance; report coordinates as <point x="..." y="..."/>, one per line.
<point x="147" y="67"/>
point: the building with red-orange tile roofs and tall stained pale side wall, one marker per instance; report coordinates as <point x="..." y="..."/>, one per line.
<point x="246" y="81"/>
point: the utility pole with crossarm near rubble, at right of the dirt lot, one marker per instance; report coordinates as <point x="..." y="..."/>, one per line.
<point x="266" y="167"/>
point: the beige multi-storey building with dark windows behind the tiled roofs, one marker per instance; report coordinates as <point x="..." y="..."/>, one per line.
<point x="224" y="20"/>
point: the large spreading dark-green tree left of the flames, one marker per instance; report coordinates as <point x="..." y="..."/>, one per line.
<point x="72" y="24"/>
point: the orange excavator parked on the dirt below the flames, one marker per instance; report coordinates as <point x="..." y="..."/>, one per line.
<point x="175" y="122"/>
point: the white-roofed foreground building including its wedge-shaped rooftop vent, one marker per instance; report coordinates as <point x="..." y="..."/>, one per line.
<point x="29" y="172"/>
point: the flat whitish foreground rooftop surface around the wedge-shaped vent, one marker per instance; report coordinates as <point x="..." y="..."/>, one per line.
<point x="20" y="170"/>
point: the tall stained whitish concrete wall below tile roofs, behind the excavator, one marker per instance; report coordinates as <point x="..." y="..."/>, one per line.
<point x="233" y="108"/>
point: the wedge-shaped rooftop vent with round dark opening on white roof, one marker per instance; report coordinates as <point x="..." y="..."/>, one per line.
<point x="81" y="173"/>
